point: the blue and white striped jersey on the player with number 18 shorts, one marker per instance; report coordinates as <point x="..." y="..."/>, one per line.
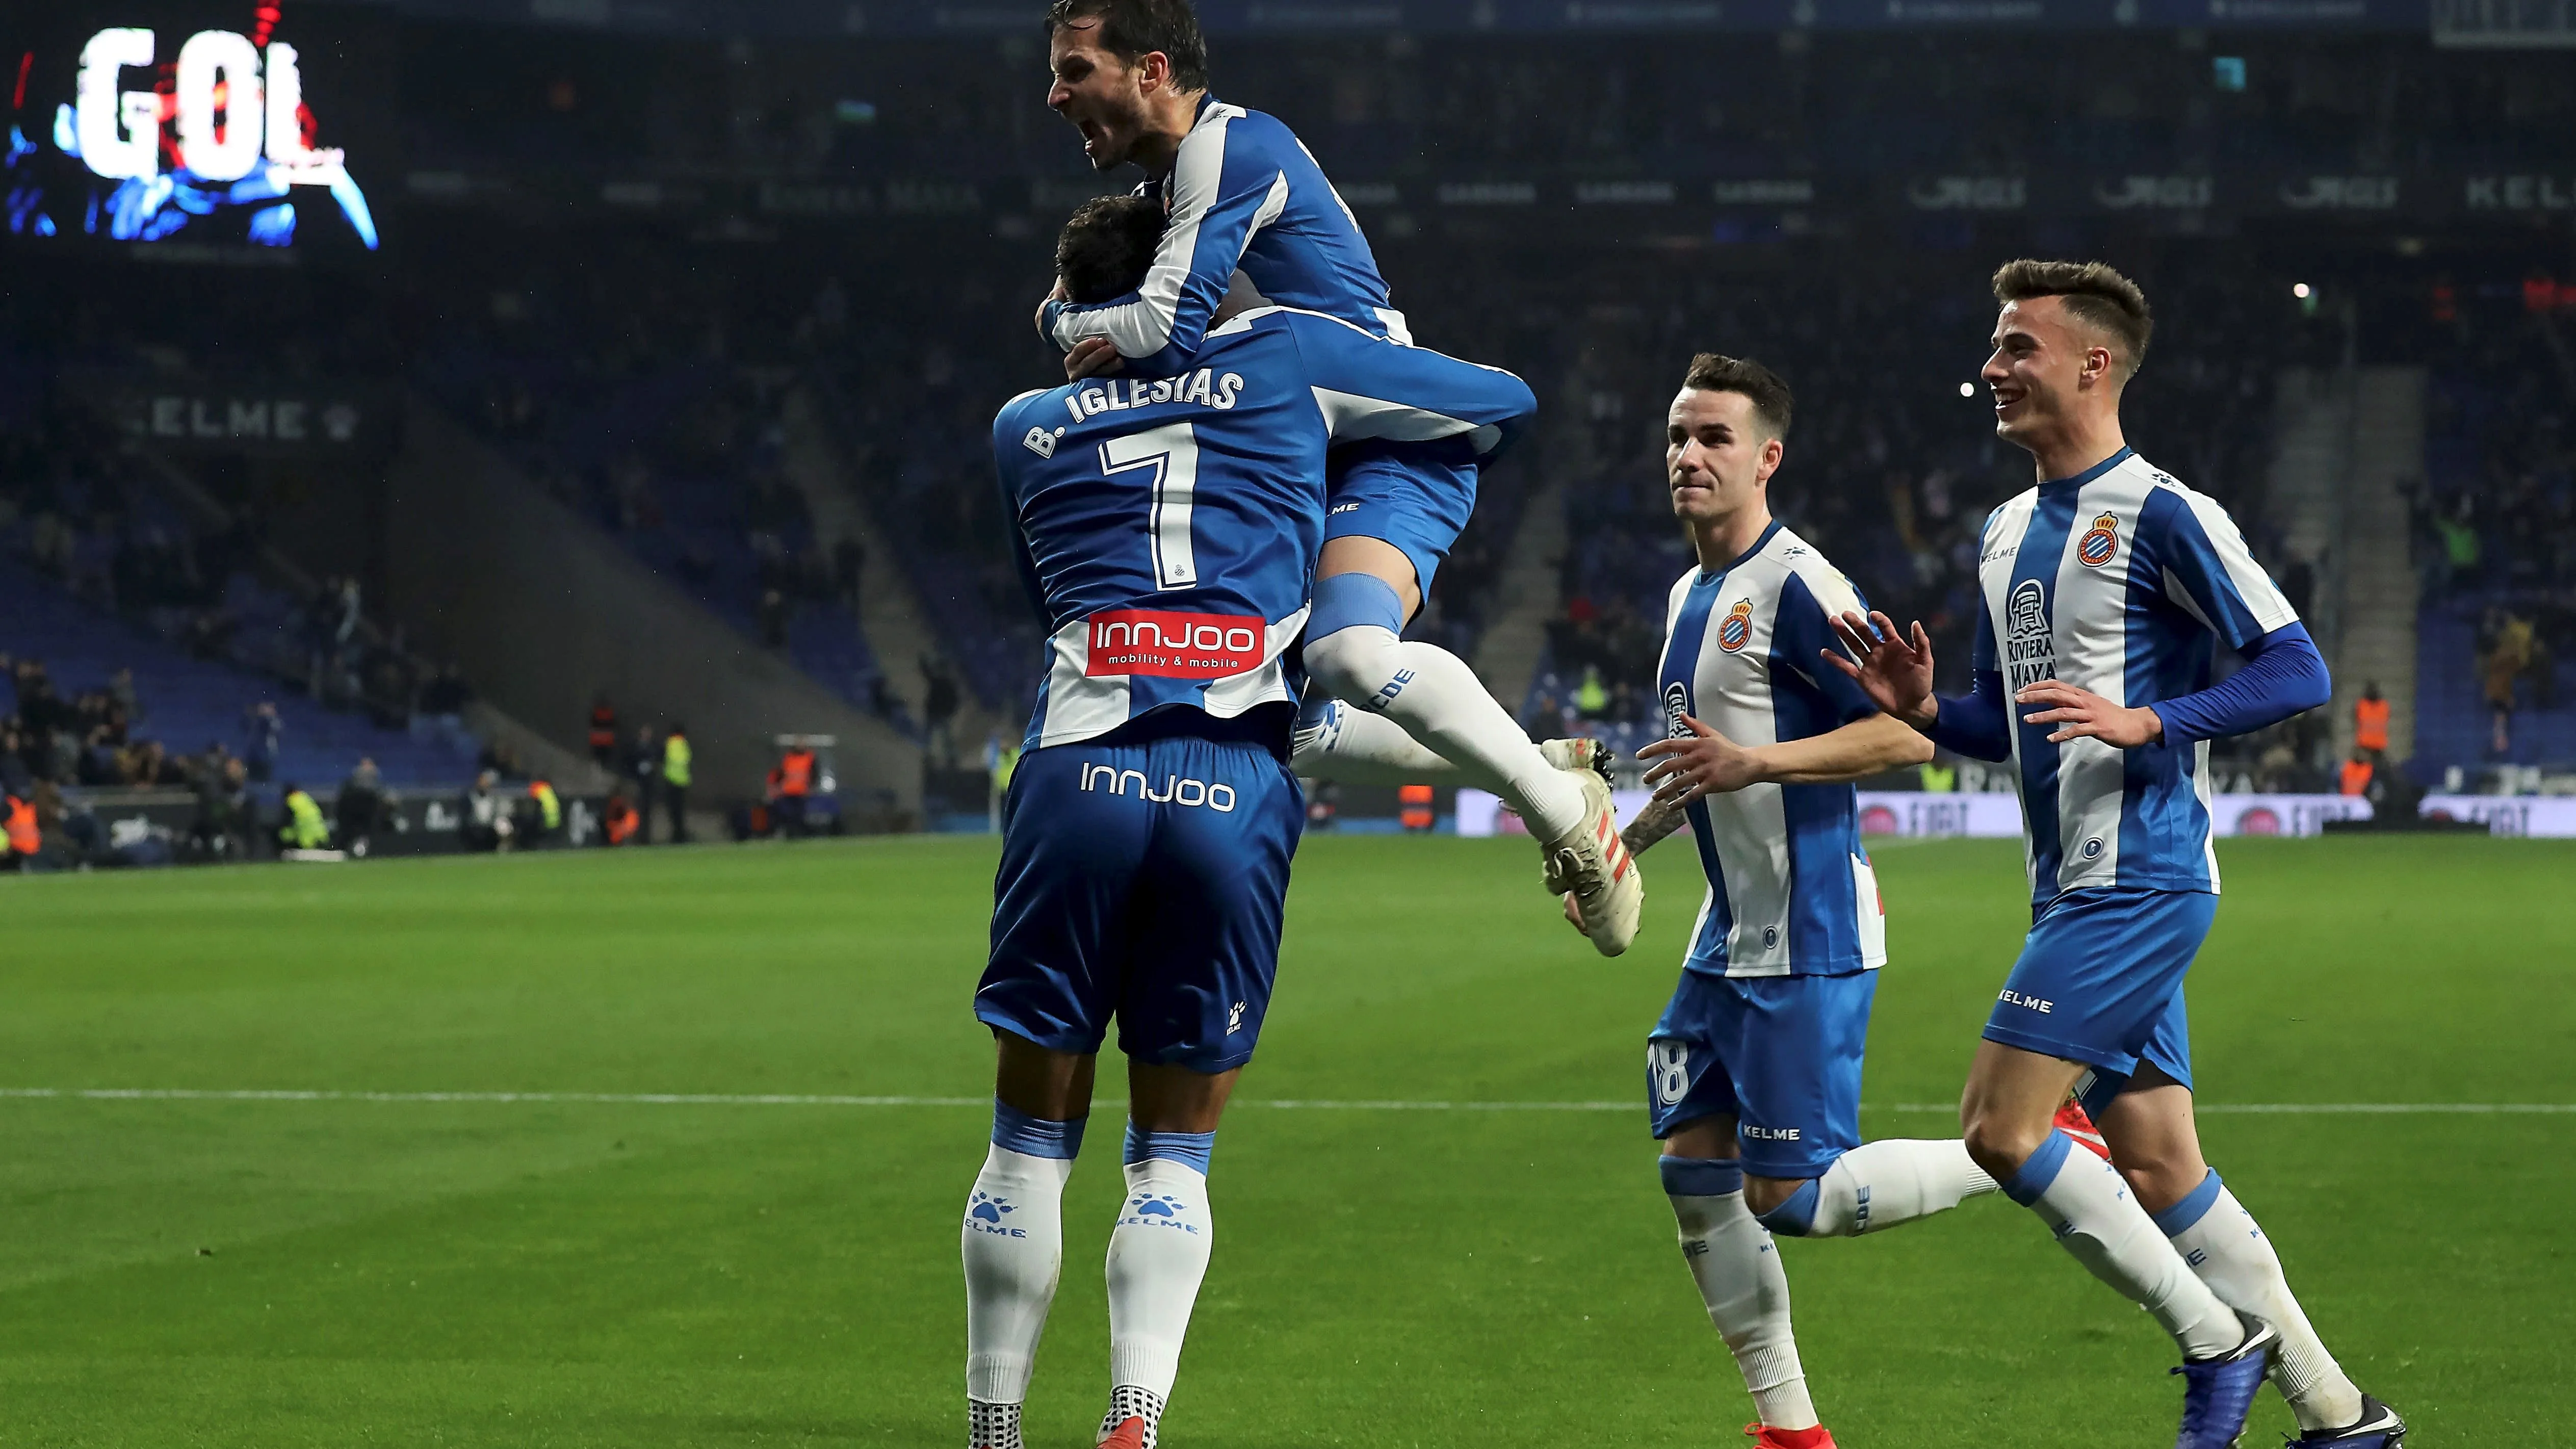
<point x="1789" y="886"/>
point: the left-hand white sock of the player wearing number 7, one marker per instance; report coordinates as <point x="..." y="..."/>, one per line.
<point x="1014" y="1247"/>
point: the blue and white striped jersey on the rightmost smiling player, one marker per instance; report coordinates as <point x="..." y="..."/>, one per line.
<point x="2119" y="581"/>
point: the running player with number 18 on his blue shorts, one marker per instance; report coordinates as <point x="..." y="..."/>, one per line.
<point x="1753" y="1076"/>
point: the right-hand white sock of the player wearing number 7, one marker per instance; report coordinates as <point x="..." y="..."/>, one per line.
<point x="1158" y="1259"/>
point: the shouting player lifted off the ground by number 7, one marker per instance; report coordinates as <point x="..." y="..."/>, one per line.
<point x="1251" y="213"/>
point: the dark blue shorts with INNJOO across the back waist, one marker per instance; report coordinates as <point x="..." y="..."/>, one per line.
<point x="1142" y="883"/>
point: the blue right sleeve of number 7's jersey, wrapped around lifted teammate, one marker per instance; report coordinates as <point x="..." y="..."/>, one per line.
<point x="1379" y="391"/>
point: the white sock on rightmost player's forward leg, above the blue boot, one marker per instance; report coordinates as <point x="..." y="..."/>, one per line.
<point x="2096" y="1218"/>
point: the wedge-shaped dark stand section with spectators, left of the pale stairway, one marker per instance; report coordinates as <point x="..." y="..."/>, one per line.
<point x="650" y="398"/>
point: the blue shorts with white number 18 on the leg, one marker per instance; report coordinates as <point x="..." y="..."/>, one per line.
<point x="1781" y="1056"/>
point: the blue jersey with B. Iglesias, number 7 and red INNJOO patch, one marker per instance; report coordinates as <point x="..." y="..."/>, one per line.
<point x="1168" y="525"/>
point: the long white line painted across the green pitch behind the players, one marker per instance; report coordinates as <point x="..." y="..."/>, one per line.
<point x="1297" y="1105"/>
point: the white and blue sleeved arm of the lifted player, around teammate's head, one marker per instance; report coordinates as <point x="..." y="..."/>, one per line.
<point x="1225" y="190"/>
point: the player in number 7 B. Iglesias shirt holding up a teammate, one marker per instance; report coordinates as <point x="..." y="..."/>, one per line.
<point x="1168" y="532"/>
